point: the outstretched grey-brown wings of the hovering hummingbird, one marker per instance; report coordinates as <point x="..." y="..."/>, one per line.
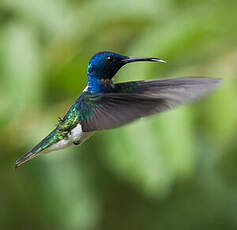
<point x="132" y="100"/>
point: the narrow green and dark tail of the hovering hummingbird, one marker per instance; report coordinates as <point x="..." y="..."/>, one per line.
<point x="44" y="146"/>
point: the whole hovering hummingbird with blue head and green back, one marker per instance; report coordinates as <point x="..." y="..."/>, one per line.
<point x="104" y="104"/>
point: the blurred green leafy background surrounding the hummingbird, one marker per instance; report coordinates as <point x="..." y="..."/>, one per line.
<point x="172" y="171"/>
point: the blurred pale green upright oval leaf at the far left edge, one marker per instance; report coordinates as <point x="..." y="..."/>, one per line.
<point x="22" y="69"/>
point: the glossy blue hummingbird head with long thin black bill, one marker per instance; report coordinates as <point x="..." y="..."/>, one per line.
<point x="104" y="65"/>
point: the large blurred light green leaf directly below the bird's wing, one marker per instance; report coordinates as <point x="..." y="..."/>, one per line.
<point x="147" y="154"/>
